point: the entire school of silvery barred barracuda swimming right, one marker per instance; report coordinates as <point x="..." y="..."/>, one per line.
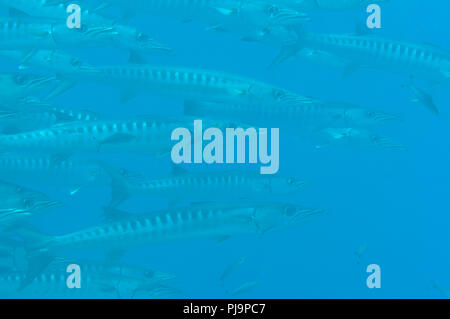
<point x="46" y="144"/>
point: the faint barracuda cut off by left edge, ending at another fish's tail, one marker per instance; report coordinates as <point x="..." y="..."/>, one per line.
<point x="70" y="173"/>
